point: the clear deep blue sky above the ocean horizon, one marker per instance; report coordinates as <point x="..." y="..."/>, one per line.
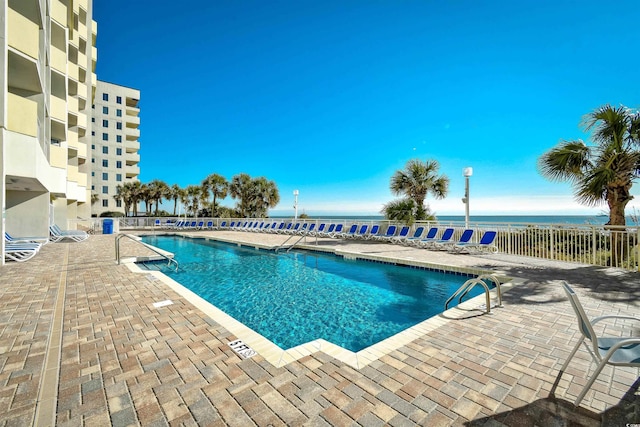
<point x="332" y="97"/>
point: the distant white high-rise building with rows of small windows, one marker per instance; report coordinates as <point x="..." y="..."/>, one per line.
<point x="115" y="144"/>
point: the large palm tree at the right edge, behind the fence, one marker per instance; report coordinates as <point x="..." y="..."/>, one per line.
<point x="604" y="172"/>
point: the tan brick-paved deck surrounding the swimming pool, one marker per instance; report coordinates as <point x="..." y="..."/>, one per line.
<point x="82" y="343"/>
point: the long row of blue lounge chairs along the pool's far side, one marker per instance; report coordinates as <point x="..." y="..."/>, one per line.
<point x="392" y="234"/>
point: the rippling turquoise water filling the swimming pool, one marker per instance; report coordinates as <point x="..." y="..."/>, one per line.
<point x="298" y="297"/>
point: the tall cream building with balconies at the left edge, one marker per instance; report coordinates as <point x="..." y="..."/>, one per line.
<point x="48" y="58"/>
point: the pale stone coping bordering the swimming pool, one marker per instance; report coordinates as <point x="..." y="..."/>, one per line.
<point x="357" y="360"/>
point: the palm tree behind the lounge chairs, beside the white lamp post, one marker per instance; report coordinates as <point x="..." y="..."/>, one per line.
<point x="415" y="181"/>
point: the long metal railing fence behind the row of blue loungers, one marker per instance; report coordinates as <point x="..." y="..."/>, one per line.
<point x="589" y="244"/>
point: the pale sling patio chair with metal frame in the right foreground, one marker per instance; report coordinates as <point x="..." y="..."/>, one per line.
<point x="615" y="351"/>
